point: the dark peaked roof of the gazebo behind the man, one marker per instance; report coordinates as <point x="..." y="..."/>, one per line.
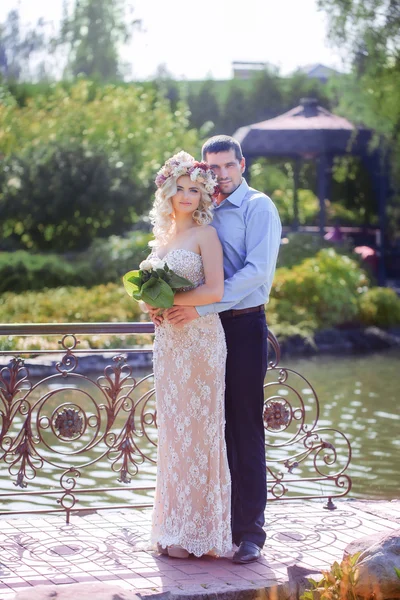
<point x="308" y="129"/>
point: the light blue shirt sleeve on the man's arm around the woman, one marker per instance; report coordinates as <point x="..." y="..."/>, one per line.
<point x="263" y="236"/>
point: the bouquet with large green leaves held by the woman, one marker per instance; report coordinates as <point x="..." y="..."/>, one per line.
<point x="154" y="283"/>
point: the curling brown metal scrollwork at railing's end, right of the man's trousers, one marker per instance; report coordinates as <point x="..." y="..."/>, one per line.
<point x="299" y="451"/>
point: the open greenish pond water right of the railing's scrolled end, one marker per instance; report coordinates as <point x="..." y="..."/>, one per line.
<point x="360" y="395"/>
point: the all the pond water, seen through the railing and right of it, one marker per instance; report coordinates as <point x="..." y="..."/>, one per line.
<point x="358" y="395"/>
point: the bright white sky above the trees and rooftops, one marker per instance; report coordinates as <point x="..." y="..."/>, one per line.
<point x="195" y="40"/>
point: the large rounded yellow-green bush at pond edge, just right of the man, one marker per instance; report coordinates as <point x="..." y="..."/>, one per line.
<point x="322" y="291"/>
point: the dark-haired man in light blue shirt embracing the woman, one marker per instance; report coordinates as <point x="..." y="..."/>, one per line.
<point x="249" y="228"/>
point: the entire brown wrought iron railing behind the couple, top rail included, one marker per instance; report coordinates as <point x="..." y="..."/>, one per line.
<point x="76" y="426"/>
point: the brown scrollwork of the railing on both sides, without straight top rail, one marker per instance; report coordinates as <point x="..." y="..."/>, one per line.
<point x="73" y="424"/>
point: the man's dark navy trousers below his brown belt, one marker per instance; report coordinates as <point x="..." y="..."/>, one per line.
<point x="246" y="338"/>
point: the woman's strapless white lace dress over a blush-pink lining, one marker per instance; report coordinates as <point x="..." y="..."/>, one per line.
<point x="193" y="490"/>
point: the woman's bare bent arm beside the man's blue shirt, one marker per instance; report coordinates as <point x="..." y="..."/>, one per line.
<point x="213" y="288"/>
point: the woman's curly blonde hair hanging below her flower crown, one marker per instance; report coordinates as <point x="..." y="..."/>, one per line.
<point x="162" y="213"/>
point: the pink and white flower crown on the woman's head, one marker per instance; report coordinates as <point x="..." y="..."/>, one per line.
<point x="184" y="164"/>
